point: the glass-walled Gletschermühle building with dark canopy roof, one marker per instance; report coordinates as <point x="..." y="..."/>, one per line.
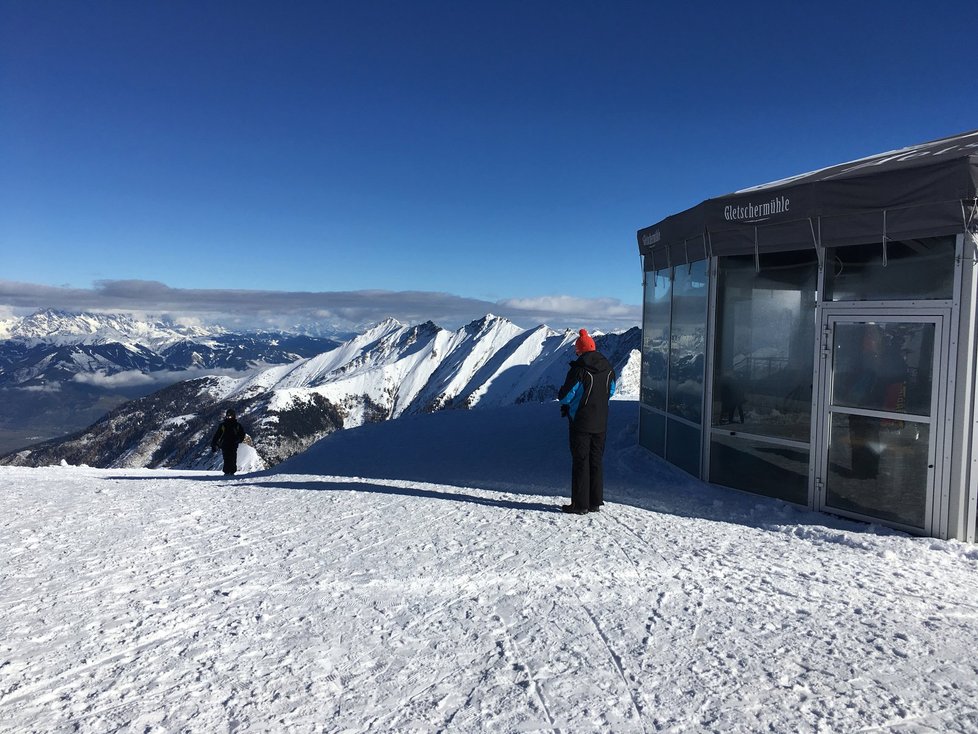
<point x="814" y="340"/>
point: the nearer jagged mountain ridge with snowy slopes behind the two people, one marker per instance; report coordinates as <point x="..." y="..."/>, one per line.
<point x="389" y="371"/>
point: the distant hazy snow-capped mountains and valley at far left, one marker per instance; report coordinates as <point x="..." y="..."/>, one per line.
<point x="59" y="371"/>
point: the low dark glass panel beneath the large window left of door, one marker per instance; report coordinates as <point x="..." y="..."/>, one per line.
<point x="760" y="467"/>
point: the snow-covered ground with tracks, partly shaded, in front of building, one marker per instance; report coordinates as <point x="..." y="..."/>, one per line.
<point x="417" y="575"/>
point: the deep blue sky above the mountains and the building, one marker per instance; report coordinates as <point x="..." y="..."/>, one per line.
<point x="501" y="153"/>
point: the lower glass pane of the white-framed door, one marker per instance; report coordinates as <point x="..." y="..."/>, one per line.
<point x="879" y="468"/>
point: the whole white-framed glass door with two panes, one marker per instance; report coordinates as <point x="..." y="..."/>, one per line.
<point x="879" y="422"/>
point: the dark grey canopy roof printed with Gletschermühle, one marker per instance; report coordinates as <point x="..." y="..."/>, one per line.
<point x="925" y="190"/>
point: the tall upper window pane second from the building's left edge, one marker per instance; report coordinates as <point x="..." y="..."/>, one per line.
<point x="687" y="355"/>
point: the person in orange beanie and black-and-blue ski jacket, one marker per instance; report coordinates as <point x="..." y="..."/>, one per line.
<point x="583" y="400"/>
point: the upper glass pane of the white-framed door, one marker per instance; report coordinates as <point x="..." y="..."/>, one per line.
<point x="884" y="366"/>
